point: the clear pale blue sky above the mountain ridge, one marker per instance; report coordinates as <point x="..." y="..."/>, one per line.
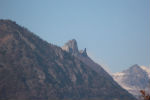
<point x="116" y="33"/>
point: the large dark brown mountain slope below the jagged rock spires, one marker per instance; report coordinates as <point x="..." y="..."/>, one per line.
<point x="33" y="69"/>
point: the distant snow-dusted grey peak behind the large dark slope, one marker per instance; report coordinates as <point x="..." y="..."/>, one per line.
<point x="134" y="79"/>
